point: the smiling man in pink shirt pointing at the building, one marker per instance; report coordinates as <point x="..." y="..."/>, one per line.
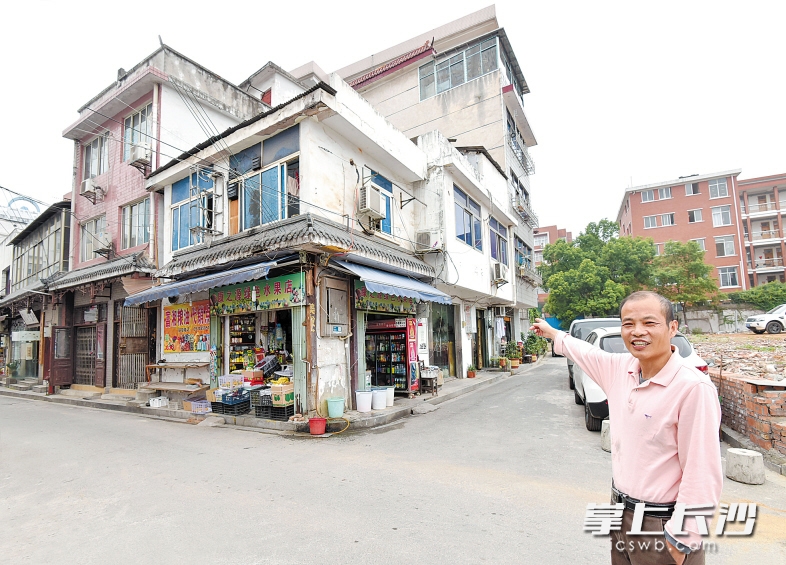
<point x="664" y="417"/>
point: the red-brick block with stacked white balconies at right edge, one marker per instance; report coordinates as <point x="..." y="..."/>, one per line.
<point x="762" y="205"/>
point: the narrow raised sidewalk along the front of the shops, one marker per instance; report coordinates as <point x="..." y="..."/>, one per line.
<point x="403" y="407"/>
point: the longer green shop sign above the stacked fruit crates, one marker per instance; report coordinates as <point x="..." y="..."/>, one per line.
<point x="268" y="294"/>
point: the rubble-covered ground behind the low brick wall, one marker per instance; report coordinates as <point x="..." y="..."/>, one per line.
<point x="762" y="358"/>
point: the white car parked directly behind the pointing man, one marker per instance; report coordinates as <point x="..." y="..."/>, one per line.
<point x="587" y="391"/>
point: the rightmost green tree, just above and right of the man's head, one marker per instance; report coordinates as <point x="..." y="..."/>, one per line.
<point x="682" y="276"/>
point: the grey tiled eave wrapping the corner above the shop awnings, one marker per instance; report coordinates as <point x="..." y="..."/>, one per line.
<point x="301" y="233"/>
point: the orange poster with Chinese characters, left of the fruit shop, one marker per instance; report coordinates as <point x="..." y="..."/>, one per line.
<point x="187" y="327"/>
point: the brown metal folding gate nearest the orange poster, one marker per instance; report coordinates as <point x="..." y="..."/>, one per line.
<point x="132" y="347"/>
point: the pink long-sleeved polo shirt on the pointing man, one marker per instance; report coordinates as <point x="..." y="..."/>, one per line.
<point x="664" y="432"/>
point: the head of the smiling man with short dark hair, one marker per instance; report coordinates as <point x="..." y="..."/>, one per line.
<point x="644" y="329"/>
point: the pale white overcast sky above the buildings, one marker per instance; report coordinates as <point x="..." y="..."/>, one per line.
<point x="622" y="93"/>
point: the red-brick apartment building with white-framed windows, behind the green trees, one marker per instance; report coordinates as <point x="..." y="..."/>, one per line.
<point x="705" y="209"/>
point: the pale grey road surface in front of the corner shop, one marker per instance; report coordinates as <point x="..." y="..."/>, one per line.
<point x="499" y="476"/>
